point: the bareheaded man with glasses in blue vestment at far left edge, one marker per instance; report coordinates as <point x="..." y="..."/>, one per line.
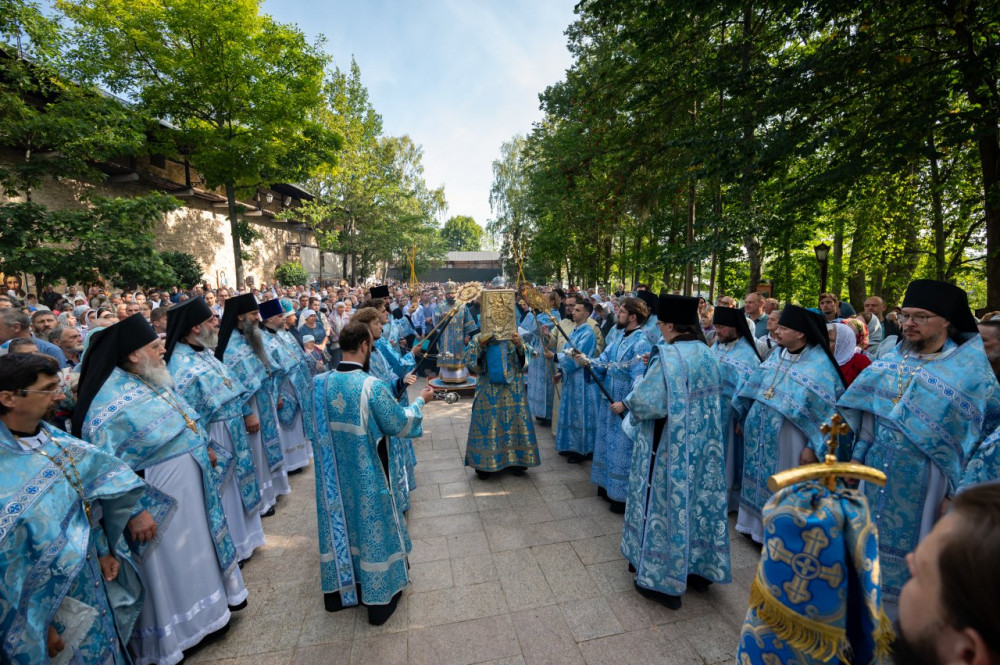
<point x="58" y="594"/>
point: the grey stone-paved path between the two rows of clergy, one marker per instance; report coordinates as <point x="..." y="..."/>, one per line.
<point x="512" y="570"/>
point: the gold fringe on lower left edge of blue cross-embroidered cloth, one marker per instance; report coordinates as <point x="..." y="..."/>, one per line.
<point x="815" y="639"/>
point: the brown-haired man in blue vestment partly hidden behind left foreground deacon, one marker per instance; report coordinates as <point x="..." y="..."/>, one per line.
<point x="398" y="378"/>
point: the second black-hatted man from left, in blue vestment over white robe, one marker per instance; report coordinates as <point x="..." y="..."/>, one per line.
<point x="218" y="396"/>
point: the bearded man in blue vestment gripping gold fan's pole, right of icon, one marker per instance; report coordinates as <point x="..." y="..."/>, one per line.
<point x="618" y="367"/>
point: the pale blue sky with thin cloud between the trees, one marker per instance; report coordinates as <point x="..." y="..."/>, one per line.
<point x="459" y="76"/>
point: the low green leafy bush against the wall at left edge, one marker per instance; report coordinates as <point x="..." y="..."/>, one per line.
<point x="109" y="238"/>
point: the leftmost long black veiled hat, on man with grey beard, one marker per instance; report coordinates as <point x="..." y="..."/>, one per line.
<point x="106" y="348"/>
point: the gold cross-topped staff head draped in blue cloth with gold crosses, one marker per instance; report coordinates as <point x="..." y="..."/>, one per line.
<point x="817" y="597"/>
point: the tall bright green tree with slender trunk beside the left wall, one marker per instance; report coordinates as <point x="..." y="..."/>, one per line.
<point x="242" y="89"/>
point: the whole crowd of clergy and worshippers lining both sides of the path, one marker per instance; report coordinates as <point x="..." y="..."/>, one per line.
<point x="147" y="434"/>
